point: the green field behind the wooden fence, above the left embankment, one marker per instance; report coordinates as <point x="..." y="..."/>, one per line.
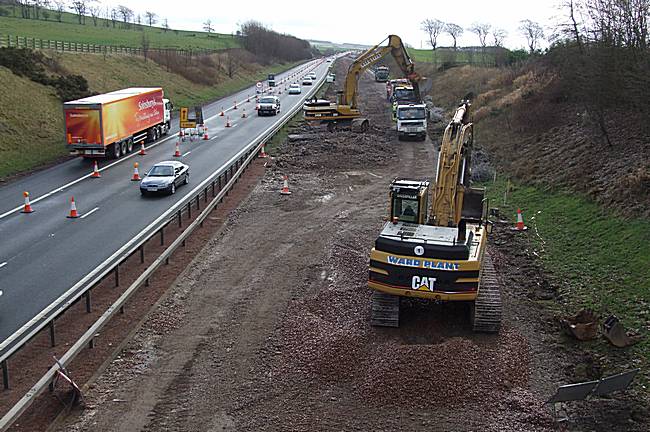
<point x="70" y="31"/>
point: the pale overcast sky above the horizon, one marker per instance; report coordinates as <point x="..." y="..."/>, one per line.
<point x="364" y="22"/>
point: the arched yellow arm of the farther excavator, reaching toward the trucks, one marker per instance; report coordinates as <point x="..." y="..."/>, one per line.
<point x="396" y="48"/>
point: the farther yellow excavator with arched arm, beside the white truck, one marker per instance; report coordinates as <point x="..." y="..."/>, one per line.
<point x="345" y="110"/>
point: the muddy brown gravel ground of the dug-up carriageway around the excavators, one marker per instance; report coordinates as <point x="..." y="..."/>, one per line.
<point x="268" y="328"/>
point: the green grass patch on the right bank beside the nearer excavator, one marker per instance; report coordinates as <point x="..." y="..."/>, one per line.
<point x="596" y="260"/>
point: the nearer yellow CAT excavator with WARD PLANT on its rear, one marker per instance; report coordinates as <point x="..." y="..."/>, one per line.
<point x="437" y="252"/>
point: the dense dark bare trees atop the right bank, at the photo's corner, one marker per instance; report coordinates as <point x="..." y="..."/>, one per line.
<point x="601" y="53"/>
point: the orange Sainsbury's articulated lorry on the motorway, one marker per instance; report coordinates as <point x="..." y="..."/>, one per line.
<point x="108" y="125"/>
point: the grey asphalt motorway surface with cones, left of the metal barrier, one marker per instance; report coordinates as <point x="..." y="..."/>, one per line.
<point x="43" y="254"/>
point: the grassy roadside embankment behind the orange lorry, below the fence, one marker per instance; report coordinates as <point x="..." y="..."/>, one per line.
<point x="36" y="111"/>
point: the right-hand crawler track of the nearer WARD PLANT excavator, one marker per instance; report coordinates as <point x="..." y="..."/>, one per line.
<point x="487" y="306"/>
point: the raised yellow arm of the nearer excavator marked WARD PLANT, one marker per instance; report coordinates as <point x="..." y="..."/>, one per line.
<point x="453" y="173"/>
